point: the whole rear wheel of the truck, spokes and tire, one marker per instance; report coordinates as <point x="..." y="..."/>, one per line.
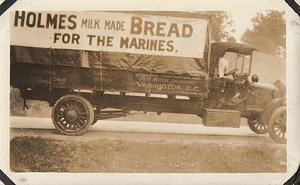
<point x="72" y="115"/>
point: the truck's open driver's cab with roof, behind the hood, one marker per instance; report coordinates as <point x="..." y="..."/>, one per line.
<point x="230" y="89"/>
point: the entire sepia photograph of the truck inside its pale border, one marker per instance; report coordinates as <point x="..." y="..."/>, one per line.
<point x="148" y="91"/>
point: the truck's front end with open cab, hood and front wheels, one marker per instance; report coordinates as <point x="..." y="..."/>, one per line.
<point x="238" y="91"/>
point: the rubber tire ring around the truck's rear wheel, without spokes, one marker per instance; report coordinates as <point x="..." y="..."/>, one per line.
<point x="87" y="105"/>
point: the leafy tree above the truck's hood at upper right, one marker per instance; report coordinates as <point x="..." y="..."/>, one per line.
<point x="268" y="32"/>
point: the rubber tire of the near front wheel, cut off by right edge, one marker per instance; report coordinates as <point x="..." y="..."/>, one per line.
<point x="274" y="115"/>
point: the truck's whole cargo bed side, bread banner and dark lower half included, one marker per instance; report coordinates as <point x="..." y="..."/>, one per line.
<point x="111" y="51"/>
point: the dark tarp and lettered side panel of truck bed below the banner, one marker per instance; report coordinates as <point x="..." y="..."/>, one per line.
<point x="107" y="71"/>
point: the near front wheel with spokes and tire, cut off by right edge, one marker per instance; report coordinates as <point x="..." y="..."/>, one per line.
<point x="277" y="125"/>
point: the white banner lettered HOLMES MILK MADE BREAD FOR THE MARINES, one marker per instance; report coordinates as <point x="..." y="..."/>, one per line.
<point x="124" y="32"/>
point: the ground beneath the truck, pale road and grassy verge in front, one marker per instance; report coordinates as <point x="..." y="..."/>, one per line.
<point x="140" y="147"/>
